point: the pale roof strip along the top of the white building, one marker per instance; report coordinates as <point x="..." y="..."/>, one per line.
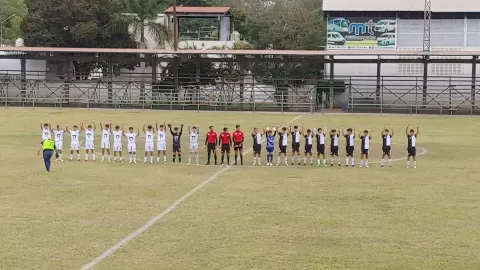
<point x="404" y="5"/>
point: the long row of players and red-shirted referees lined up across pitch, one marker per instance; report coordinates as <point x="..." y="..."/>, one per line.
<point x="225" y="141"/>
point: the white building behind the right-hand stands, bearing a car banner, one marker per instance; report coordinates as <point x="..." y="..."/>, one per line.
<point x="399" y="25"/>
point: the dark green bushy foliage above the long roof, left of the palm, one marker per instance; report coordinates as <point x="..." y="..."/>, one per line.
<point x="75" y="23"/>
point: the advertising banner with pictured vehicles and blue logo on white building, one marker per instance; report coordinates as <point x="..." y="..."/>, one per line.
<point x="361" y="33"/>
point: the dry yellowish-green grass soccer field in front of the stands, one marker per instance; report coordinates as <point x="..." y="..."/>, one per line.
<point x="144" y="216"/>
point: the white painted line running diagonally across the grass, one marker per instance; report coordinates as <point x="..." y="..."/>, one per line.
<point x="158" y="217"/>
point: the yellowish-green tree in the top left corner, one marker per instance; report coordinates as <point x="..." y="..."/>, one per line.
<point x="14" y="11"/>
